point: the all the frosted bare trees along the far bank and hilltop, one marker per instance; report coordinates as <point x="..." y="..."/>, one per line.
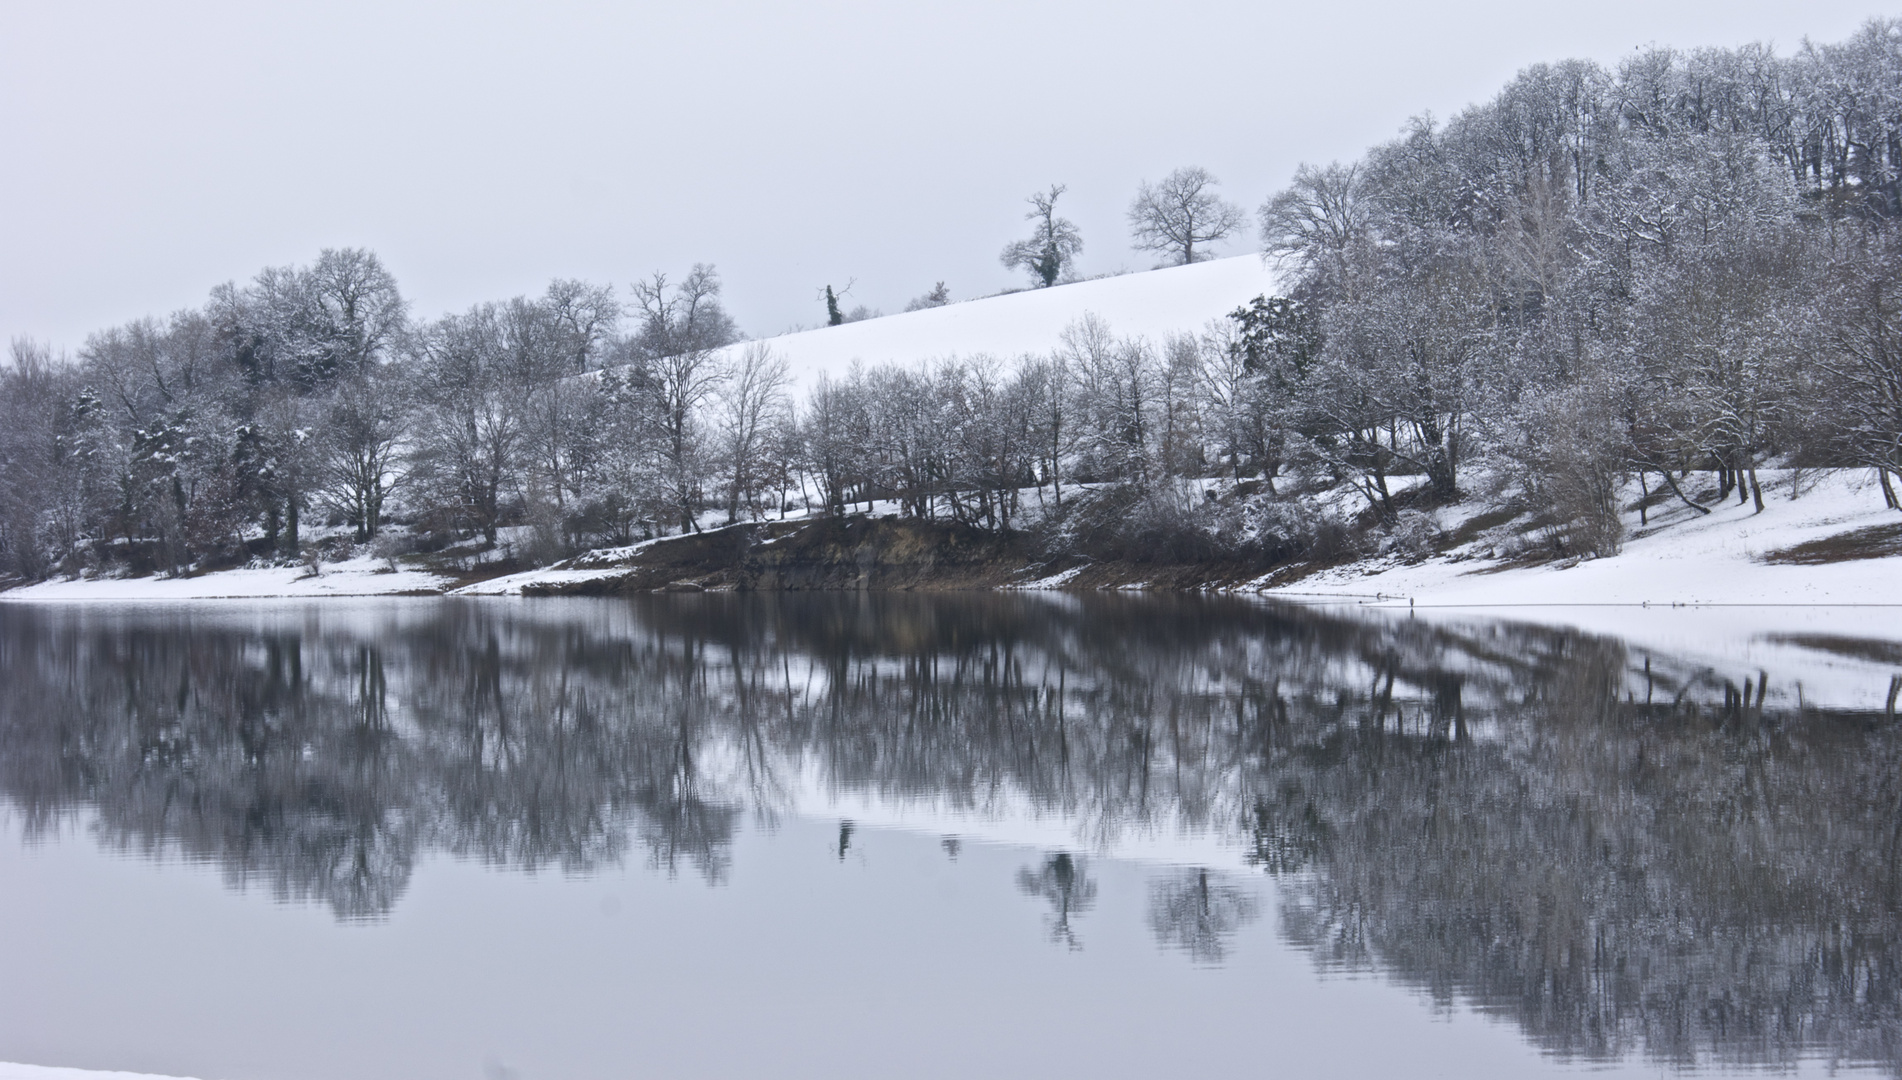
<point x="1599" y="279"/>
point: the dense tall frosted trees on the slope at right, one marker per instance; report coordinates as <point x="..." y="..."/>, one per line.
<point x="1688" y="263"/>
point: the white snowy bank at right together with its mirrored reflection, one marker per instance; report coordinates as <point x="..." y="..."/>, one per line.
<point x="1688" y="587"/>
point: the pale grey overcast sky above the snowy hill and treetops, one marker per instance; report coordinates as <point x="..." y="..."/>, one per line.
<point x="151" y="151"/>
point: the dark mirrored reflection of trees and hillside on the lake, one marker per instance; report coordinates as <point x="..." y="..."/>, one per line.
<point x="1621" y="855"/>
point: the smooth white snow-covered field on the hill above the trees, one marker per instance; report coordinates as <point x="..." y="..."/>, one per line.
<point x="1152" y="305"/>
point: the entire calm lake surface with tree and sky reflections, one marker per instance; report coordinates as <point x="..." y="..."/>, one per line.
<point x="923" y="838"/>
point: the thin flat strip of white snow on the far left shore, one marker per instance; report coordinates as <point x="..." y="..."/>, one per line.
<point x="349" y="579"/>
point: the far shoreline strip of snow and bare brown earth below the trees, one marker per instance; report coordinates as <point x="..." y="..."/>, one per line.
<point x="1834" y="547"/>
